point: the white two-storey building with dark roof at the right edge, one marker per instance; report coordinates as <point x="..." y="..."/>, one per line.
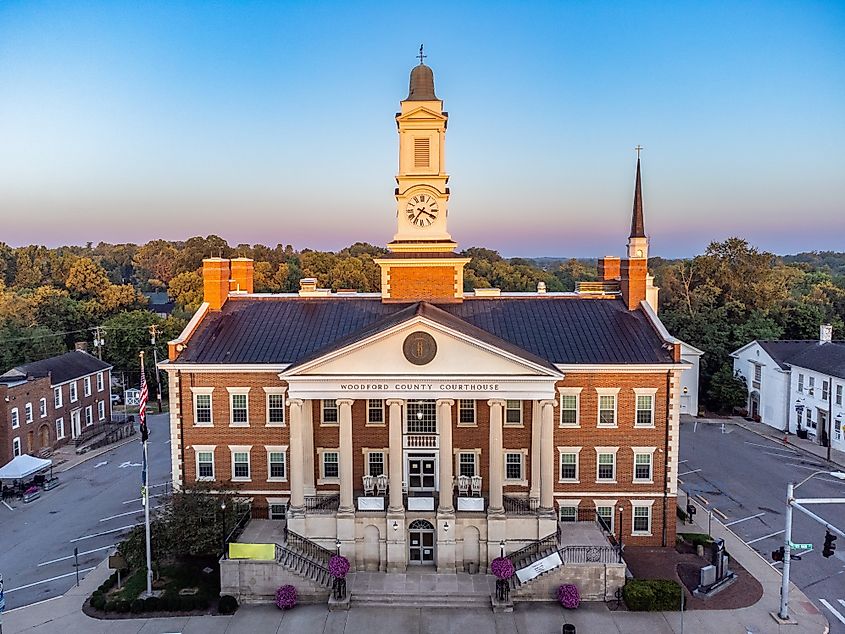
<point x="796" y="385"/>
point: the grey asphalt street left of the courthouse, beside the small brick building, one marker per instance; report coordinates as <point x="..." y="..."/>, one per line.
<point x="96" y="504"/>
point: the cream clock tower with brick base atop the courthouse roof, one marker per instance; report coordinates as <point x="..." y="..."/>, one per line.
<point x="422" y="264"/>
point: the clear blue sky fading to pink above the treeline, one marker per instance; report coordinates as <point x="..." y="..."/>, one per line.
<point x="273" y="122"/>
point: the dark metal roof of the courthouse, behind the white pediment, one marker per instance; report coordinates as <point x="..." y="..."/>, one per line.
<point x="566" y="330"/>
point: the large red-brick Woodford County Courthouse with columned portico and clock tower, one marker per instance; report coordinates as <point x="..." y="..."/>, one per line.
<point x="426" y="424"/>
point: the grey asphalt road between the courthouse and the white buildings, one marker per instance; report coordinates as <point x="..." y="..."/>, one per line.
<point x="744" y="476"/>
